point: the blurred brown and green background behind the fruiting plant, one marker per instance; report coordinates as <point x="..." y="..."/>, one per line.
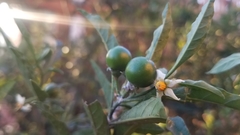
<point x="74" y="42"/>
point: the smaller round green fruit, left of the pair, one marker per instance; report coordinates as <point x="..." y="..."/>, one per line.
<point x="118" y="57"/>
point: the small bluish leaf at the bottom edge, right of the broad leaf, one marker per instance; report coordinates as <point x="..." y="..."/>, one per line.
<point x="177" y="126"/>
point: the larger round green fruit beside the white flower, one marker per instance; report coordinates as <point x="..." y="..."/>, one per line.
<point x="141" y="72"/>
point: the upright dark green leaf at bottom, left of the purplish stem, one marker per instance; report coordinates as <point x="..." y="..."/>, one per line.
<point x="97" y="118"/>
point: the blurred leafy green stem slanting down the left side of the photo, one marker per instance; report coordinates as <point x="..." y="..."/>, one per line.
<point x="30" y="70"/>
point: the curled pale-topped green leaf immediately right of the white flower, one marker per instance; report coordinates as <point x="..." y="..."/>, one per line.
<point x="203" y="89"/>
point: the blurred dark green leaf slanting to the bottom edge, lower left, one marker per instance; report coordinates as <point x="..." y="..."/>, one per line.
<point x="58" y="125"/>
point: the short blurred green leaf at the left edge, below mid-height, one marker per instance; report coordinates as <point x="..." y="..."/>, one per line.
<point x="5" y="88"/>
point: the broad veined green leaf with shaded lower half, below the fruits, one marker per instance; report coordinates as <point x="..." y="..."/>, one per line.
<point x="148" y="111"/>
